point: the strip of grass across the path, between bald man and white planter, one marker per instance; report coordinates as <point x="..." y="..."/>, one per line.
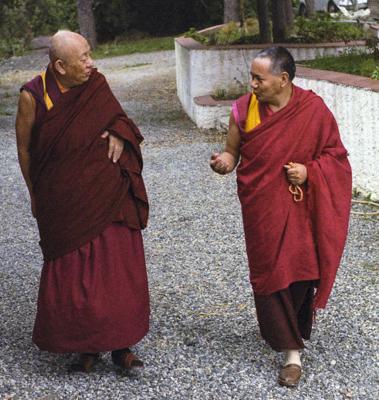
<point x="133" y="46"/>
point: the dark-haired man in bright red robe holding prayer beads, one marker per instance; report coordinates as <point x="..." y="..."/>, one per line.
<point x="294" y="185"/>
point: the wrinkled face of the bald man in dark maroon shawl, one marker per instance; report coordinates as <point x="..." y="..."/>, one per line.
<point x="78" y="64"/>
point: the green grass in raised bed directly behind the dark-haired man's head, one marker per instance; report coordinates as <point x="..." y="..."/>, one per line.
<point x="356" y="64"/>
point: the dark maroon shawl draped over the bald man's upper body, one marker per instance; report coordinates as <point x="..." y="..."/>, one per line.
<point x="78" y="190"/>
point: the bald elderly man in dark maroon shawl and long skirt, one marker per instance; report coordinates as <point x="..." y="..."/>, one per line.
<point x="80" y="156"/>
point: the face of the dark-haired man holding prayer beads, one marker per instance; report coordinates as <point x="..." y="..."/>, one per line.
<point x="264" y="84"/>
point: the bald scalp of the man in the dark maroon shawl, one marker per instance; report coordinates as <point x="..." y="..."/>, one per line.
<point x="64" y="44"/>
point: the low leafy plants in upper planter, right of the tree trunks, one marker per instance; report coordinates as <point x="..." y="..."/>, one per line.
<point x="322" y="28"/>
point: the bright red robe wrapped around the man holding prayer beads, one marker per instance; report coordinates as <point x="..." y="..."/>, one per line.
<point x="290" y="241"/>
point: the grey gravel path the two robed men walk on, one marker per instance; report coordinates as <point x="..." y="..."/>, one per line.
<point x="204" y="341"/>
